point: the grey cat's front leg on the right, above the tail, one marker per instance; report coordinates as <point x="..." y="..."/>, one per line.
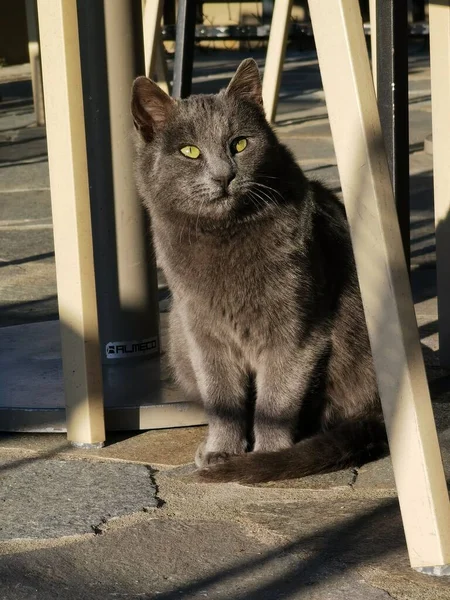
<point x="282" y="380"/>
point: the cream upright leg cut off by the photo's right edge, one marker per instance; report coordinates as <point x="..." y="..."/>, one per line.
<point x="440" y="99"/>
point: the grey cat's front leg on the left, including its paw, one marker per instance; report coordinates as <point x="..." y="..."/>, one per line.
<point x="223" y="385"/>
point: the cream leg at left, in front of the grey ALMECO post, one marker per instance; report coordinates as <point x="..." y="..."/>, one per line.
<point x="69" y="186"/>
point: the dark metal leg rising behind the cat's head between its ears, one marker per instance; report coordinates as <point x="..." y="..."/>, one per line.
<point x="184" y="49"/>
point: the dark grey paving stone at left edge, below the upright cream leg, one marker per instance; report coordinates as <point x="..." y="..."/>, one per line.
<point x="53" y="498"/>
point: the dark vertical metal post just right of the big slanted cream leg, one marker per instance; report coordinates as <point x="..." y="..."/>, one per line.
<point x="392" y="90"/>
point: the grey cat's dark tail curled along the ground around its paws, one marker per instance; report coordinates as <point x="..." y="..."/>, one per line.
<point x="350" y="444"/>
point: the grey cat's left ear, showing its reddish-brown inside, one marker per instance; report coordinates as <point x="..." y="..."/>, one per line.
<point x="150" y="107"/>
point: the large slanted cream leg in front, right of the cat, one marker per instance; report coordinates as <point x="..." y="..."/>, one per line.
<point x="384" y="282"/>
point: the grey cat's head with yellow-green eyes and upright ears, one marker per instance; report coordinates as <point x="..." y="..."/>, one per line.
<point x="208" y="156"/>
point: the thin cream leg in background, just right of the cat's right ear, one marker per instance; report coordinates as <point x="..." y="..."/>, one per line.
<point x="276" y="50"/>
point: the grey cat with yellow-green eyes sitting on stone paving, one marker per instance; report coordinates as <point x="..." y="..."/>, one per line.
<point x="267" y="327"/>
